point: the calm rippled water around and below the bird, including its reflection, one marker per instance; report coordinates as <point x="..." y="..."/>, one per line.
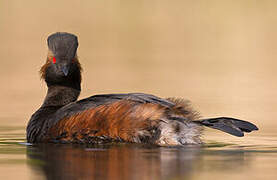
<point x="235" y="159"/>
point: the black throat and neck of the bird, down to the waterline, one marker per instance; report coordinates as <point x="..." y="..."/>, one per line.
<point x="62" y="90"/>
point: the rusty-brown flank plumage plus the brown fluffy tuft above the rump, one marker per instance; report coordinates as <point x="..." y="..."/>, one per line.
<point x="122" y="120"/>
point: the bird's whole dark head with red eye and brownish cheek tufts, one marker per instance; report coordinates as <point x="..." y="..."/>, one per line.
<point x="62" y="66"/>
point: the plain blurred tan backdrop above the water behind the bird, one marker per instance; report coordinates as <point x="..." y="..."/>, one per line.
<point x="221" y="55"/>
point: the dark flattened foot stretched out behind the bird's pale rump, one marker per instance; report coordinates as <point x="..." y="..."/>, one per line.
<point x="232" y="126"/>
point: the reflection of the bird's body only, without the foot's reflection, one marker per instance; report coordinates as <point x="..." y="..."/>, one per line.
<point x="111" y="161"/>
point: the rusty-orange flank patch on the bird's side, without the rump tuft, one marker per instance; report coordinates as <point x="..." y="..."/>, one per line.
<point x="111" y="120"/>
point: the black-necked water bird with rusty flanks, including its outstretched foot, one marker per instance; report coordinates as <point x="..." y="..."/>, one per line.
<point x="112" y="118"/>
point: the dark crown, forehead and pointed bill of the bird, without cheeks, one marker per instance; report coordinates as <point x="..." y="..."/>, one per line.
<point x="63" y="47"/>
